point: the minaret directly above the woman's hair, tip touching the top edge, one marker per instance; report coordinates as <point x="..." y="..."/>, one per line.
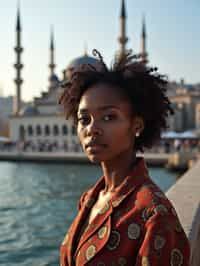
<point x="122" y="38"/>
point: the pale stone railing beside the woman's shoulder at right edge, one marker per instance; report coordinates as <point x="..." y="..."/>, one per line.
<point x="185" y="196"/>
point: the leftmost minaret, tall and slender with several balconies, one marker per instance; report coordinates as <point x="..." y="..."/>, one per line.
<point x="18" y="66"/>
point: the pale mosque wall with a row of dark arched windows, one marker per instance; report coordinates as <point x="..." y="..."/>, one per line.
<point x="48" y="130"/>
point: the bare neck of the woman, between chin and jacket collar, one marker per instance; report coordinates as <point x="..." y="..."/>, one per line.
<point x="114" y="172"/>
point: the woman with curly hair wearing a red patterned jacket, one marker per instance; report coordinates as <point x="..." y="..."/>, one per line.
<point x="124" y="219"/>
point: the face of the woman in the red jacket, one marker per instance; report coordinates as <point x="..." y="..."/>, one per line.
<point x="106" y="126"/>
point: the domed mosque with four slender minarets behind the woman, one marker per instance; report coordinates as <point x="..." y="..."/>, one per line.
<point x="42" y="124"/>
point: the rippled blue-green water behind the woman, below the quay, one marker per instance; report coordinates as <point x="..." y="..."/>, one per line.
<point x="37" y="205"/>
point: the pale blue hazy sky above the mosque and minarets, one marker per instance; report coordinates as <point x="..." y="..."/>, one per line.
<point x="173" y="37"/>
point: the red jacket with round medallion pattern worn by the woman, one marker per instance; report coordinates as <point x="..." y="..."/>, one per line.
<point x="137" y="226"/>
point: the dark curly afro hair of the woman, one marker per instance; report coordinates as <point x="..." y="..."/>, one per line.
<point x="144" y="87"/>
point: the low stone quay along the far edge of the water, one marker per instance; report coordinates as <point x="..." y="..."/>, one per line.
<point x="177" y="161"/>
